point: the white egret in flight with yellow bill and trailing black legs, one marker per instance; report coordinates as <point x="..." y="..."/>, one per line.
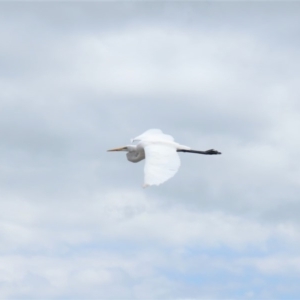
<point x="160" y="151"/>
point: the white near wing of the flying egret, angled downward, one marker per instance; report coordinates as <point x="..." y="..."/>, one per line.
<point x="162" y="163"/>
